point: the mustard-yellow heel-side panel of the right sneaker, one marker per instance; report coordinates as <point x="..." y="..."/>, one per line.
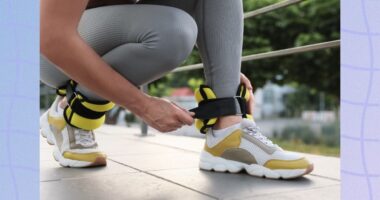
<point x="231" y="141"/>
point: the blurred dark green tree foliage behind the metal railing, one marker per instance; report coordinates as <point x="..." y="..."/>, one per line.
<point x="308" y="22"/>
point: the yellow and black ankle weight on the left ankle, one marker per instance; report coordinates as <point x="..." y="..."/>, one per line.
<point x="84" y="113"/>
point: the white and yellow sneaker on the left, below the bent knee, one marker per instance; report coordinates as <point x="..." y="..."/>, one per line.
<point x="73" y="147"/>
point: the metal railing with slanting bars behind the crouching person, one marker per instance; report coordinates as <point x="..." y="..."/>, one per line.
<point x="271" y="54"/>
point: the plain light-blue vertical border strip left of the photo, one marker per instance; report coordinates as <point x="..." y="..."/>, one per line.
<point x="19" y="98"/>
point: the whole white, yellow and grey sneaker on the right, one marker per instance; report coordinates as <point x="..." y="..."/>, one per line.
<point x="242" y="146"/>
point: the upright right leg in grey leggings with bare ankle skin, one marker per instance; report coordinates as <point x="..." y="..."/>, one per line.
<point x="220" y="41"/>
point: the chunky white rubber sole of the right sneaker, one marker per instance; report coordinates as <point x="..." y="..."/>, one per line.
<point x="209" y="162"/>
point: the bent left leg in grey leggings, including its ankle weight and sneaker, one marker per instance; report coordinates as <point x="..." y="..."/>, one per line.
<point x="141" y="42"/>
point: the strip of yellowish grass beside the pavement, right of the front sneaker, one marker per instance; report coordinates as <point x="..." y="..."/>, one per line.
<point x="294" y="145"/>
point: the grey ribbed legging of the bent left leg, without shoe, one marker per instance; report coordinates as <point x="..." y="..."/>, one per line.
<point x="141" y="42"/>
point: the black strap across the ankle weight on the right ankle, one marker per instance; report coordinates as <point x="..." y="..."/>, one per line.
<point x="214" y="108"/>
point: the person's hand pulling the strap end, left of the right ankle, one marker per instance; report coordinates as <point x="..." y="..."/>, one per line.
<point x="165" y="116"/>
